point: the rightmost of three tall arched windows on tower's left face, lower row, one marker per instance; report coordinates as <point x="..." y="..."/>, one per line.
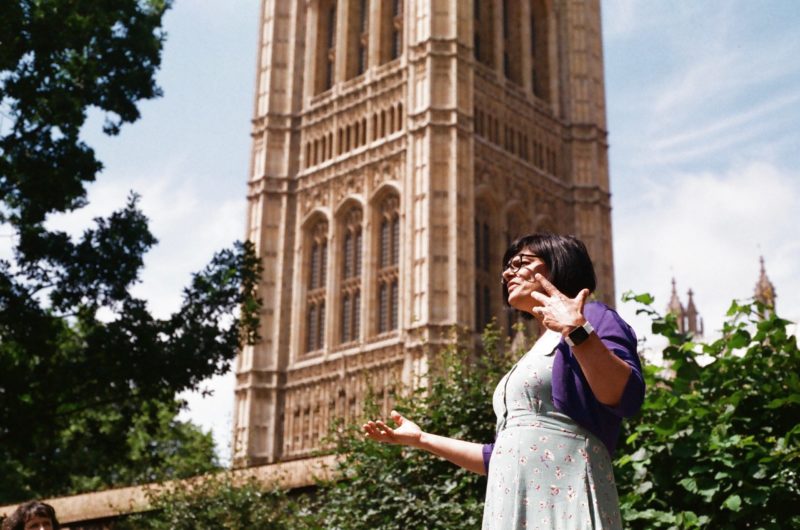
<point x="388" y="265"/>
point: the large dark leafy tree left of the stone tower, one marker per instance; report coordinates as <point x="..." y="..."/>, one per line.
<point x="80" y="396"/>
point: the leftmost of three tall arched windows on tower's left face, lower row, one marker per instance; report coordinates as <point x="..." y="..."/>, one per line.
<point x="315" y="287"/>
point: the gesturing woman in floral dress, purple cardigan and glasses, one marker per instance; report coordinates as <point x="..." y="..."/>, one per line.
<point x="559" y="409"/>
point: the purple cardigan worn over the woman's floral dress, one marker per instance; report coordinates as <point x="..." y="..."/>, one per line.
<point x="571" y="393"/>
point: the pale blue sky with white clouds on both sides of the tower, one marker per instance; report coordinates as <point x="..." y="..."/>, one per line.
<point x="703" y="104"/>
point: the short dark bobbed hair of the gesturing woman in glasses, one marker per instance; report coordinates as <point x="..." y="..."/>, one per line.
<point x="566" y="258"/>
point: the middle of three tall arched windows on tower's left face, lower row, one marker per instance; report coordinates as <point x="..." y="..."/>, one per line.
<point x="350" y="281"/>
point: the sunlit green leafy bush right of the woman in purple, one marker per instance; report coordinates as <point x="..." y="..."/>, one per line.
<point x="717" y="444"/>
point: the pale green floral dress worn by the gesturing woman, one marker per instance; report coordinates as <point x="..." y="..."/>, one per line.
<point x="546" y="471"/>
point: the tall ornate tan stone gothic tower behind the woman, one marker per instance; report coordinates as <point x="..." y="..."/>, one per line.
<point x="398" y="146"/>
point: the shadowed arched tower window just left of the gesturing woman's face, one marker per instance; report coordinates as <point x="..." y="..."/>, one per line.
<point x="484" y="267"/>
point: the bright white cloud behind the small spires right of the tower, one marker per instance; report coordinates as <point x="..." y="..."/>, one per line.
<point x="708" y="230"/>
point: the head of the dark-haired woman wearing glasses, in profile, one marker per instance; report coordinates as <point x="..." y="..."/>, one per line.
<point x="563" y="260"/>
